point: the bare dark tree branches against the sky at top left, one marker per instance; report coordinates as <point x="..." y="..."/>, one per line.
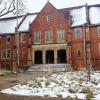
<point x="9" y="6"/>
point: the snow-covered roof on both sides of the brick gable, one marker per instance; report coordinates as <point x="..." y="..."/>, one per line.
<point x="77" y="15"/>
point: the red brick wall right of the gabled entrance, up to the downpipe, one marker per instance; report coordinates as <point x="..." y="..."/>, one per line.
<point x="77" y="61"/>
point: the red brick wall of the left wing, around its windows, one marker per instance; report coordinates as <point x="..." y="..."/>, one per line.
<point x="23" y="48"/>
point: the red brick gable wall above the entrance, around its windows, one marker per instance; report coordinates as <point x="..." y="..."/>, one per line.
<point x="58" y="21"/>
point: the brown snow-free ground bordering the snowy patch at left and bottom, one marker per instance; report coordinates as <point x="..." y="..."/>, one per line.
<point x="14" y="79"/>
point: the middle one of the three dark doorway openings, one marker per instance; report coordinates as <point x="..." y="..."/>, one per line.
<point x="50" y="56"/>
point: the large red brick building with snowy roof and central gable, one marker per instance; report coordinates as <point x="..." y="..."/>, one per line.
<point x="69" y="35"/>
